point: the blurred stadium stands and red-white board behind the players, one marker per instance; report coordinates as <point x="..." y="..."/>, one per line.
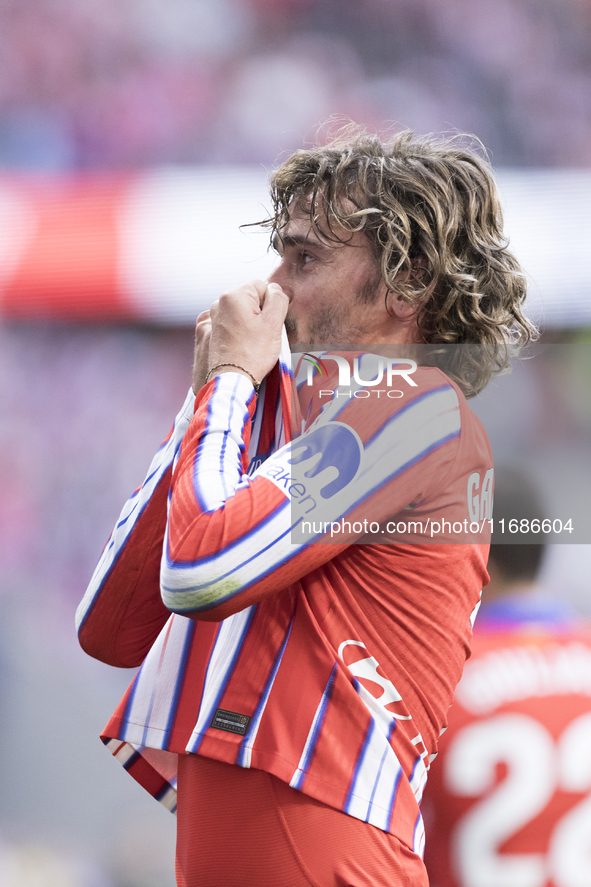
<point x="135" y="137"/>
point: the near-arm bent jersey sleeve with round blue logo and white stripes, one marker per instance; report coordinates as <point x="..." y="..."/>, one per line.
<point x="233" y="539"/>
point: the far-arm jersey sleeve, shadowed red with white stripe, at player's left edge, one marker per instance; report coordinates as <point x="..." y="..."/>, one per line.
<point x="122" y="612"/>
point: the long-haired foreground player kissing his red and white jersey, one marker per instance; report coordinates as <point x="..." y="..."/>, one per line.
<point x="294" y="528"/>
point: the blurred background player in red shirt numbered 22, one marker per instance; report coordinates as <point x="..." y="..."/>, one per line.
<point x="509" y="797"/>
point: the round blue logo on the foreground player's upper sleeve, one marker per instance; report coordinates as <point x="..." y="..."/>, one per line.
<point x="338" y="448"/>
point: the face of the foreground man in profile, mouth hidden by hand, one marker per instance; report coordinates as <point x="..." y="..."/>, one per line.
<point x="335" y="290"/>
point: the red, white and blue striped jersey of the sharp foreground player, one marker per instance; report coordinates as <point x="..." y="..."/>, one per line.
<point x="331" y="666"/>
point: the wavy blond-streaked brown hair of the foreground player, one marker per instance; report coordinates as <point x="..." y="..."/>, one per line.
<point x="430" y="208"/>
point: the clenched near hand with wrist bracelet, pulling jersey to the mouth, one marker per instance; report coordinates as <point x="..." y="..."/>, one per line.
<point x="246" y="326"/>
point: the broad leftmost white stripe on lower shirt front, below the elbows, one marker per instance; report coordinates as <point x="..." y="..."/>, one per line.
<point x="153" y="700"/>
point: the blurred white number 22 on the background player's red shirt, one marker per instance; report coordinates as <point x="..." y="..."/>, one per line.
<point x="537" y="766"/>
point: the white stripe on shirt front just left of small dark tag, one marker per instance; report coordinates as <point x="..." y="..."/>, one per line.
<point x="227" y="646"/>
